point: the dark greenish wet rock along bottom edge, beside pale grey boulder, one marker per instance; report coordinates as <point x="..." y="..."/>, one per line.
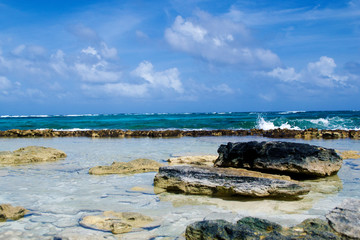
<point x="251" y="228"/>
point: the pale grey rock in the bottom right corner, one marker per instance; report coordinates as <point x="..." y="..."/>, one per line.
<point x="345" y="218"/>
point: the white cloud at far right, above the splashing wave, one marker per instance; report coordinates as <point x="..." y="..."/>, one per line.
<point x="320" y="73"/>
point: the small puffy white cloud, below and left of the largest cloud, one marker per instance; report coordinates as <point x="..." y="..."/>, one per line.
<point x="165" y="79"/>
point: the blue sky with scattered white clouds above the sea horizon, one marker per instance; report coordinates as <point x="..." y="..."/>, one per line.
<point x="137" y="56"/>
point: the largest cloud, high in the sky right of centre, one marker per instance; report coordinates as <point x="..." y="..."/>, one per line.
<point x="218" y="39"/>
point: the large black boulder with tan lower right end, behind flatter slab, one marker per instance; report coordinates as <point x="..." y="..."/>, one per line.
<point x="294" y="159"/>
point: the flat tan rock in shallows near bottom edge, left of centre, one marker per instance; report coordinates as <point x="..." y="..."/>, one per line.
<point x="116" y="222"/>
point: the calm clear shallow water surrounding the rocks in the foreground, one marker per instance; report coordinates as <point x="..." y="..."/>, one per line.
<point x="60" y="193"/>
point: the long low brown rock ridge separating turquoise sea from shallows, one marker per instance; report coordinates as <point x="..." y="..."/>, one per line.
<point x="310" y="133"/>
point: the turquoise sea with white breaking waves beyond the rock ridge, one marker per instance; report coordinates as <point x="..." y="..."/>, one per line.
<point x="348" y="120"/>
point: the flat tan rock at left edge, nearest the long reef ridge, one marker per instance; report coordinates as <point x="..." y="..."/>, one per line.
<point x="31" y="154"/>
